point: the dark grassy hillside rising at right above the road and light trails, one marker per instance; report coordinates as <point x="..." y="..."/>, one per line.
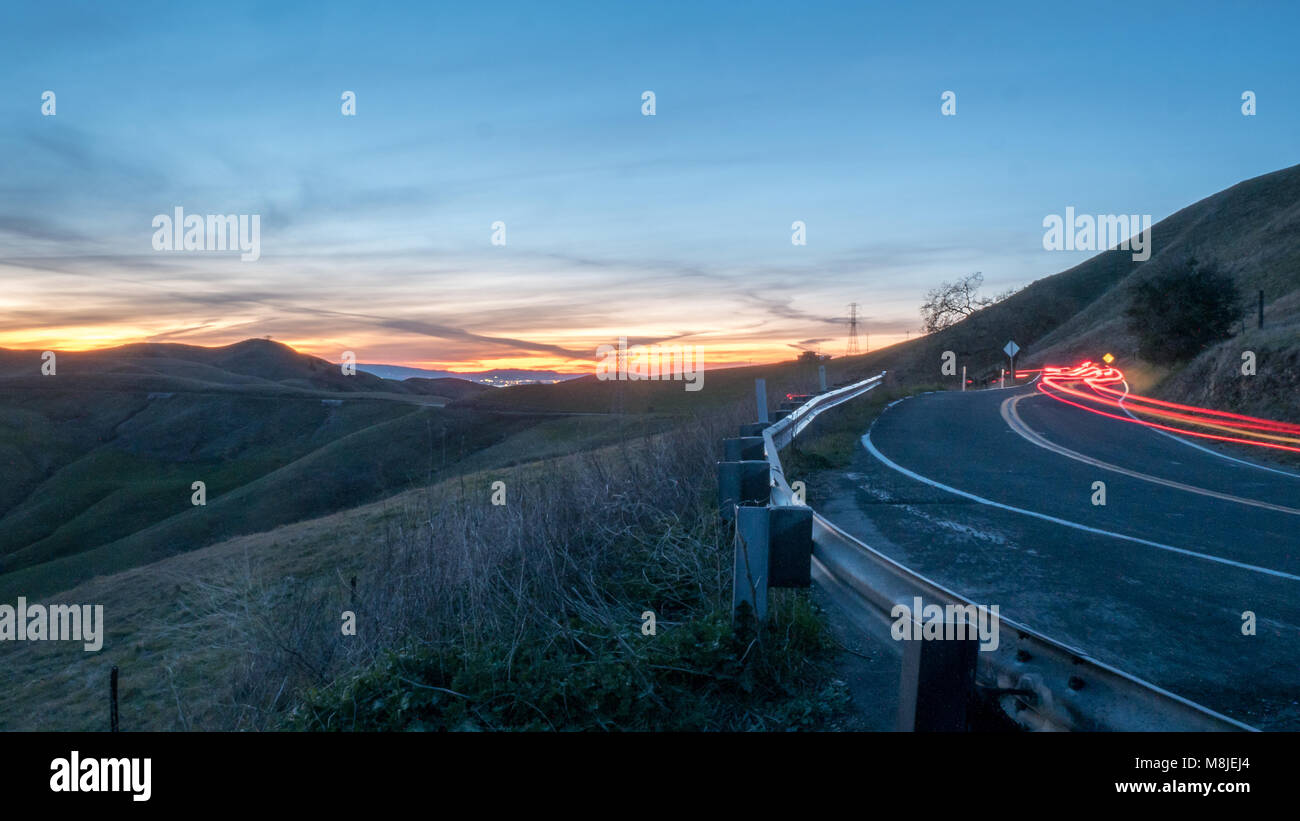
<point x="1251" y="232"/>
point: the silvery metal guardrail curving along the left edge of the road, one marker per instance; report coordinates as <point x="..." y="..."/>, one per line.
<point x="1038" y="681"/>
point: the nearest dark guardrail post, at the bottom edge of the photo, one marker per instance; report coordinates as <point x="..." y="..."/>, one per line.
<point x="938" y="681"/>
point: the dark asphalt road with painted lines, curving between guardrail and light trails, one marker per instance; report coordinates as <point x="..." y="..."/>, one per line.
<point x="991" y="493"/>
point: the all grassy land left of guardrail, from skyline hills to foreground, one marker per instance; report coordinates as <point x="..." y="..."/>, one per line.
<point x="227" y="616"/>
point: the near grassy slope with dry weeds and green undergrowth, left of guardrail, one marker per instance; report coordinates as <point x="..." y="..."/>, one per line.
<point x="530" y="613"/>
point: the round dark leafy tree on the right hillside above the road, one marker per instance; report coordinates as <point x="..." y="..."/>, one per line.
<point x="1184" y="311"/>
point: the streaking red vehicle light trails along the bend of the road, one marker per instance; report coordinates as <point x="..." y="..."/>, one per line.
<point x="1102" y="397"/>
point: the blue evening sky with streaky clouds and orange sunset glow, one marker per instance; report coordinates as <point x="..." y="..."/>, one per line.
<point x="376" y="229"/>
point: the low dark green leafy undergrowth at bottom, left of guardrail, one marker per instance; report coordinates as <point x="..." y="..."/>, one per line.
<point x="700" y="675"/>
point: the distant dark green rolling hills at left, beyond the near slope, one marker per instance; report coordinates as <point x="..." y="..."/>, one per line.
<point x="99" y="479"/>
